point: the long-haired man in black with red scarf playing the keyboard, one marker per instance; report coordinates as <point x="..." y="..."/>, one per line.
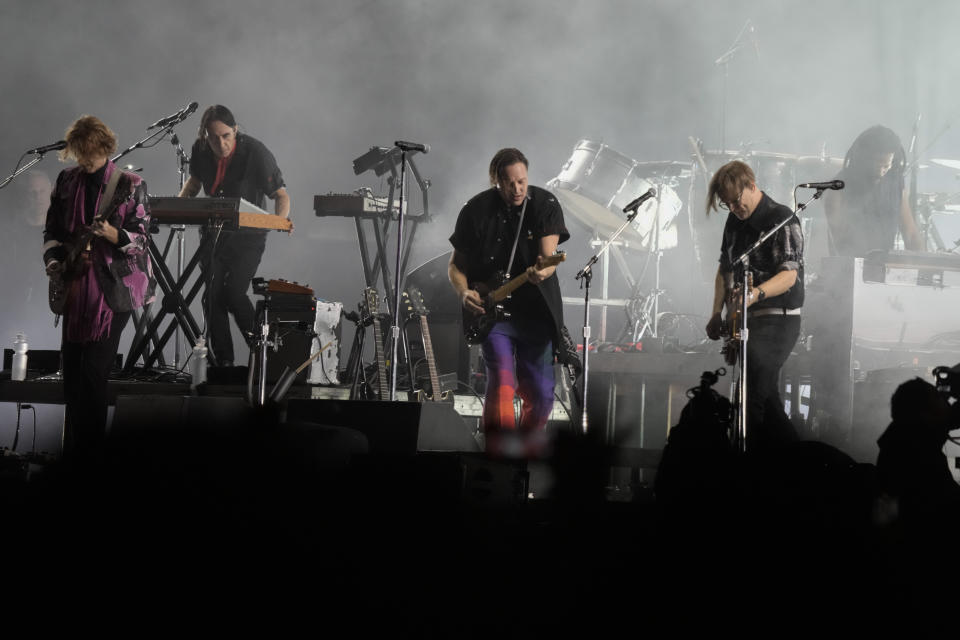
<point x="227" y="163"/>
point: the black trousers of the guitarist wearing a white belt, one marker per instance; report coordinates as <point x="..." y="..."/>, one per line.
<point x="771" y="340"/>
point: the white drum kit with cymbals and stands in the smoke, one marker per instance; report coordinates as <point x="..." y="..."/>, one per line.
<point x="597" y="181"/>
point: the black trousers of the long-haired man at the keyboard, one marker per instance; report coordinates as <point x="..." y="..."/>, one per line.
<point x="234" y="265"/>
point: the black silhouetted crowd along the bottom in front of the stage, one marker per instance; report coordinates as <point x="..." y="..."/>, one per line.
<point x="266" y="518"/>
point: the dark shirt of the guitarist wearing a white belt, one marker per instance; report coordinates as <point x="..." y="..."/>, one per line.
<point x="781" y="252"/>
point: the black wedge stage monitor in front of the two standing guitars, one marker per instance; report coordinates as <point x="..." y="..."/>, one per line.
<point x="393" y="428"/>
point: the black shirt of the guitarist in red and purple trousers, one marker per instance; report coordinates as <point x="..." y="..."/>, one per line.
<point x="485" y="232"/>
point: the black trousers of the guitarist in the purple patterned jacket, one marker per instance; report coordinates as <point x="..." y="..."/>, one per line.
<point x="86" y="368"/>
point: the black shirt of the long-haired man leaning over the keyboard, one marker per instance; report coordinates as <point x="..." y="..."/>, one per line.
<point x="252" y="174"/>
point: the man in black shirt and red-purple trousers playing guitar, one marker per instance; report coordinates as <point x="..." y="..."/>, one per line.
<point x="509" y="231"/>
